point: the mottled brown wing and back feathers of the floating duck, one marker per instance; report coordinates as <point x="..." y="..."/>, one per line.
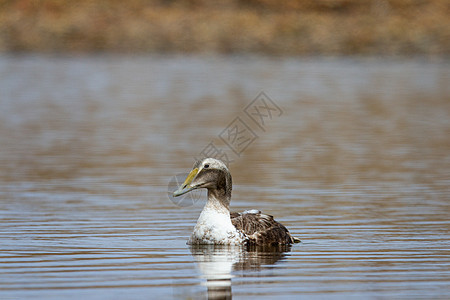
<point x="261" y="229"/>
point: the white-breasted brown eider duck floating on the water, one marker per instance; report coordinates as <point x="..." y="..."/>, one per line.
<point x="216" y="225"/>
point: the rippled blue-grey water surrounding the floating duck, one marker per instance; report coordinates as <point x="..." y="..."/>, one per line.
<point x="356" y="166"/>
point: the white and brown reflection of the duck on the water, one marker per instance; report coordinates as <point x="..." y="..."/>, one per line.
<point x="217" y="262"/>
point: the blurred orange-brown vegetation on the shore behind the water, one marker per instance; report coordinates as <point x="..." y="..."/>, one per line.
<point x="290" y="27"/>
